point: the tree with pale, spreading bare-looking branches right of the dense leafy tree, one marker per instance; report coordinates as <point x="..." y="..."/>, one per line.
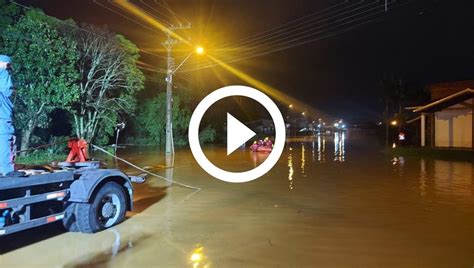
<point x="109" y="78"/>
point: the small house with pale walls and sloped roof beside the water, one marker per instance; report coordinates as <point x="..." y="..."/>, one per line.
<point x="447" y="121"/>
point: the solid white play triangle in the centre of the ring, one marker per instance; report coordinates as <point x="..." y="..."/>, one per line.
<point x="237" y="134"/>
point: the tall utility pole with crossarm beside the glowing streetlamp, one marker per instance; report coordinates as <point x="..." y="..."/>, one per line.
<point x="168" y="44"/>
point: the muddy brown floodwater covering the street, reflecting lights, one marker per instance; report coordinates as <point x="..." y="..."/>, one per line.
<point x="329" y="202"/>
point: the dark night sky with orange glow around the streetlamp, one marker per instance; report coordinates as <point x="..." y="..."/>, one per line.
<point x="423" y="41"/>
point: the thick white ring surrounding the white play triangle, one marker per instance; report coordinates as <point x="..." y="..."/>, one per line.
<point x="208" y="166"/>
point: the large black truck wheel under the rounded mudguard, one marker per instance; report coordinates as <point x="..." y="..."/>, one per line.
<point x="105" y="209"/>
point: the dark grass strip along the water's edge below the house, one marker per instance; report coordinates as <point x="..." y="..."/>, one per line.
<point x="432" y="153"/>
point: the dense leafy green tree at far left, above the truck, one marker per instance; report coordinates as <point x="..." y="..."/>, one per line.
<point x="43" y="70"/>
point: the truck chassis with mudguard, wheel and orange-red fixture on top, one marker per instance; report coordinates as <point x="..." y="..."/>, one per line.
<point x="78" y="192"/>
